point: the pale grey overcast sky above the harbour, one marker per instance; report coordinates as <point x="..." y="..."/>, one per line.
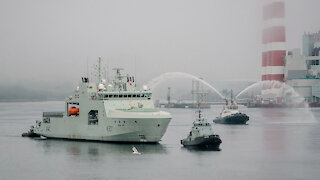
<point x="49" y="41"/>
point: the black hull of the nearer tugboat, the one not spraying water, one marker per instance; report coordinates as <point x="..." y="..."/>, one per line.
<point x="206" y="141"/>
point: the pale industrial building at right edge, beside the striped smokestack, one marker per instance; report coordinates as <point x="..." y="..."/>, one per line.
<point x="302" y="70"/>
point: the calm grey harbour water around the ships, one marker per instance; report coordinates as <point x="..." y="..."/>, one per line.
<point x="276" y="144"/>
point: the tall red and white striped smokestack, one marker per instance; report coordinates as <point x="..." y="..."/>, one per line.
<point x="273" y="40"/>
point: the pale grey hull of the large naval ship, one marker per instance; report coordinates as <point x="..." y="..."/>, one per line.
<point x="148" y="130"/>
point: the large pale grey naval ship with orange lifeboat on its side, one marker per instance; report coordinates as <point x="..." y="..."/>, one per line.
<point x="117" y="113"/>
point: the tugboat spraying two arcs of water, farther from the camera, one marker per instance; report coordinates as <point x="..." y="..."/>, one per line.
<point x="231" y="114"/>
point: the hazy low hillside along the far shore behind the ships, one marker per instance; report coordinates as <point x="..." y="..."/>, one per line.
<point x="44" y="92"/>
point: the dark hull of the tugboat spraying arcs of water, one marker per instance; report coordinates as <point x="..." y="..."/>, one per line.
<point x="238" y="118"/>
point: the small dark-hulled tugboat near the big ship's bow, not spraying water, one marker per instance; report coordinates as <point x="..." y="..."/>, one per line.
<point x="201" y="135"/>
